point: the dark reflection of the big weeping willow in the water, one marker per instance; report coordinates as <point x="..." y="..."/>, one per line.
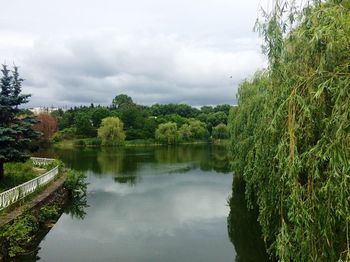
<point x="243" y="228"/>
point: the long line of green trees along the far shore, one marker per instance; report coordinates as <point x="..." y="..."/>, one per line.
<point x="167" y="123"/>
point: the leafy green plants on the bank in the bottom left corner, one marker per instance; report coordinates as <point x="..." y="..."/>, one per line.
<point x="20" y="233"/>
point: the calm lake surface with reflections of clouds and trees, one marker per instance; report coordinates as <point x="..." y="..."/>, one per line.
<point x="153" y="204"/>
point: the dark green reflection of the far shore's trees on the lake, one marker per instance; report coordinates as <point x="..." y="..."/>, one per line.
<point x="124" y="163"/>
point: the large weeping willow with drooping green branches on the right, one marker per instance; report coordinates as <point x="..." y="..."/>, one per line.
<point x="291" y="132"/>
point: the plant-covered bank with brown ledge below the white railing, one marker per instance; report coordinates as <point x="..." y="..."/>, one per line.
<point x="19" y="226"/>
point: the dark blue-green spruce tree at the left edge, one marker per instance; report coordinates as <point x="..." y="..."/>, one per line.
<point x="15" y="127"/>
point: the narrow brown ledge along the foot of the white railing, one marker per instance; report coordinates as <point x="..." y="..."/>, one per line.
<point x="51" y="188"/>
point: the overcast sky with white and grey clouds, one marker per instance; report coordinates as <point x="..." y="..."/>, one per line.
<point x="156" y="51"/>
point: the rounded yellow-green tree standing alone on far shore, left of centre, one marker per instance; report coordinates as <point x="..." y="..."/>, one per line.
<point x="111" y="131"/>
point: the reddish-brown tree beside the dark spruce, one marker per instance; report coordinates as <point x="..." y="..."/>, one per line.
<point x="47" y="125"/>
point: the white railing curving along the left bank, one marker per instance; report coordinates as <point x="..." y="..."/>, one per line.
<point x="16" y="193"/>
